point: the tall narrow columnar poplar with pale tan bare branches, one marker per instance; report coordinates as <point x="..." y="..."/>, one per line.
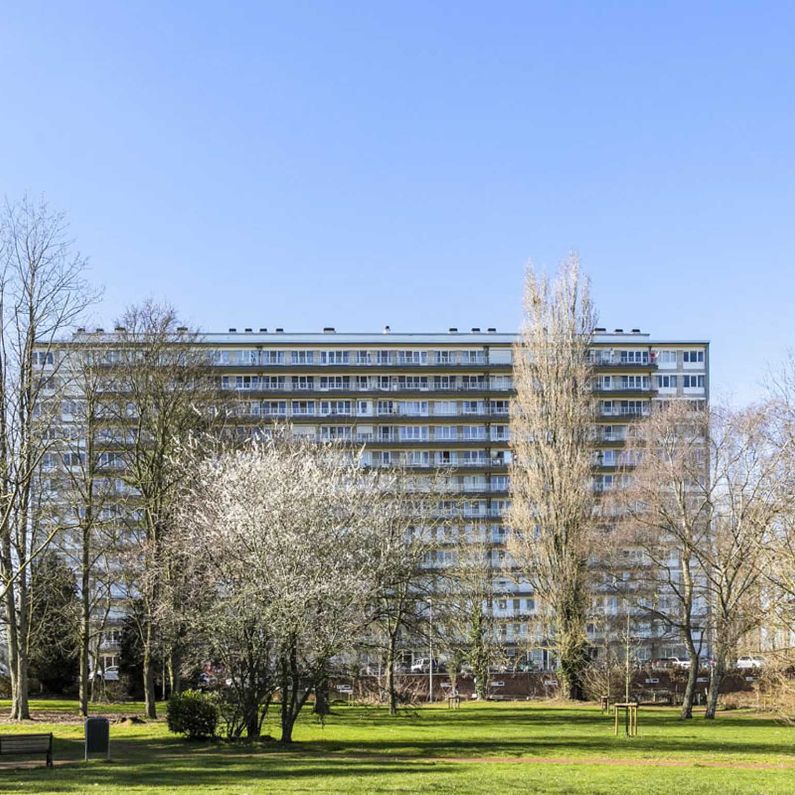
<point x="552" y="421"/>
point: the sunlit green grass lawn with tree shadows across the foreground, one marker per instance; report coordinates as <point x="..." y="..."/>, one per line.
<point x="527" y="747"/>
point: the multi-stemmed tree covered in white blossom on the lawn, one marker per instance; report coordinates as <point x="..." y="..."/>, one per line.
<point x="286" y="530"/>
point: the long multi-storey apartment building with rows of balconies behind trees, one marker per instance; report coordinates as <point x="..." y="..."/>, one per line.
<point x="428" y="400"/>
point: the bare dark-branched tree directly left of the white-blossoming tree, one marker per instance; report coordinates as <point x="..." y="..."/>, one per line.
<point x="163" y="393"/>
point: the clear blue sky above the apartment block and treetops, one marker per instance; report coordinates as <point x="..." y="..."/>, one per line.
<point x="302" y="164"/>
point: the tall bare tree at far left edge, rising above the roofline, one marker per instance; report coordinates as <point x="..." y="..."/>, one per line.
<point x="42" y="292"/>
